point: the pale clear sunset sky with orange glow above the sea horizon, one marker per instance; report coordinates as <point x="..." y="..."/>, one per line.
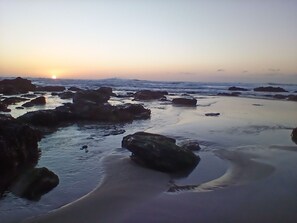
<point x="190" y="40"/>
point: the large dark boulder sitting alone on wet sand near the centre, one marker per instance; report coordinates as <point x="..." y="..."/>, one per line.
<point x="159" y="152"/>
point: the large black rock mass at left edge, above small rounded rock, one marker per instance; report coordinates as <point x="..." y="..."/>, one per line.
<point x="18" y="149"/>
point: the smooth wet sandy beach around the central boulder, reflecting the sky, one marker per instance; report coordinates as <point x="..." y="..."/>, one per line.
<point x="245" y="173"/>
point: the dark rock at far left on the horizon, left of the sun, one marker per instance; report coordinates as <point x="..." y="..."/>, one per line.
<point x="16" y="86"/>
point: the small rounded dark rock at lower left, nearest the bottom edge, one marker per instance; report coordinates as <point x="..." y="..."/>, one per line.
<point x="34" y="183"/>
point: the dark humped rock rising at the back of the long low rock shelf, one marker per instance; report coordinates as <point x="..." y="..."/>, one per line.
<point x="90" y="97"/>
